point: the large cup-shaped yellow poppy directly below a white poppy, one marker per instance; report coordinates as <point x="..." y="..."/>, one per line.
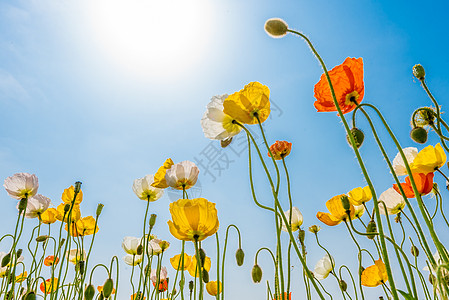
<point x="194" y="219"/>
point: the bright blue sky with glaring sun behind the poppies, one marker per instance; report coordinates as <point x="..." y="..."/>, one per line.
<point x="103" y="92"/>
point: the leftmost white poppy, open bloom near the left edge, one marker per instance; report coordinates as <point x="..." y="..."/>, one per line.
<point x="21" y="185"/>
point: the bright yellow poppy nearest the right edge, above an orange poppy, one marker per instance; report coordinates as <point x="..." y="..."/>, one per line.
<point x="429" y="159"/>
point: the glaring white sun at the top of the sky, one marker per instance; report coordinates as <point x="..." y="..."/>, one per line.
<point x="157" y="39"/>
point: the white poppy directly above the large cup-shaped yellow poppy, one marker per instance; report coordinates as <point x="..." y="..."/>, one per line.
<point x="183" y="174"/>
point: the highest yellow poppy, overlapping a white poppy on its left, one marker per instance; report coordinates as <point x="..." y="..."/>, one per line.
<point x="247" y="103"/>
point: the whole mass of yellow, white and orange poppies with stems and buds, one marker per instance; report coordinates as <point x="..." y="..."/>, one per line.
<point x="54" y="260"/>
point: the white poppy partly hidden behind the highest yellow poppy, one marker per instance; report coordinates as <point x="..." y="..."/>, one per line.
<point x="215" y="123"/>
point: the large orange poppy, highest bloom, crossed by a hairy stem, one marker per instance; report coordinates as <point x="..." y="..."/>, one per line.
<point x="347" y="80"/>
